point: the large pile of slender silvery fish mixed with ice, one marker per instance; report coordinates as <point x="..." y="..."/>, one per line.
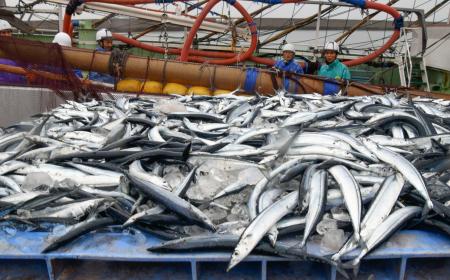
<point x="269" y="175"/>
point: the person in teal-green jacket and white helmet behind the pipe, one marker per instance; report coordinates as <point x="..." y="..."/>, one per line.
<point x="333" y="68"/>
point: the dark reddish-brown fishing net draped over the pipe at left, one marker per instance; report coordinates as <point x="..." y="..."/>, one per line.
<point x="44" y="66"/>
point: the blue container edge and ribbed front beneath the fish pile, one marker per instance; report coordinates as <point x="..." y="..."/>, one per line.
<point x="407" y="255"/>
